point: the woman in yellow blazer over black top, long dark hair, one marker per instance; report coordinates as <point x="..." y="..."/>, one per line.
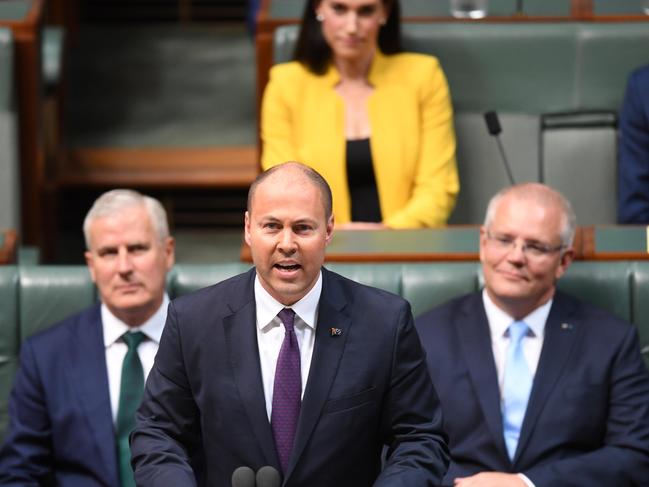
<point x="352" y="84"/>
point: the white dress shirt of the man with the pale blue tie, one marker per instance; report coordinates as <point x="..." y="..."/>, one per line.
<point x="499" y="322"/>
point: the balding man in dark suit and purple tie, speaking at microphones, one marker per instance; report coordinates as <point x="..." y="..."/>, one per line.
<point x="290" y="365"/>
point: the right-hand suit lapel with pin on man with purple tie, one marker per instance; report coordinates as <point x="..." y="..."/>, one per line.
<point x="327" y="353"/>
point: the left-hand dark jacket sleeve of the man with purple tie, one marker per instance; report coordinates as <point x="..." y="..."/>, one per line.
<point x="167" y="423"/>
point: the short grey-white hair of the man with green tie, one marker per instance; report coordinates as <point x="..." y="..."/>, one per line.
<point x="118" y="200"/>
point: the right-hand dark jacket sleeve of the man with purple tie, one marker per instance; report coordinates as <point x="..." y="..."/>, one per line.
<point x="417" y="451"/>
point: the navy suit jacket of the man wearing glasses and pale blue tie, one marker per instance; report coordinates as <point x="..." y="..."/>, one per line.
<point x="587" y="420"/>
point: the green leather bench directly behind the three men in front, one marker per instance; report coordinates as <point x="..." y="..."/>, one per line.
<point x="34" y="297"/>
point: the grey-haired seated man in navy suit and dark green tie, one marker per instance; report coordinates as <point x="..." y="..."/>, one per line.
<point x="74" y="397"/>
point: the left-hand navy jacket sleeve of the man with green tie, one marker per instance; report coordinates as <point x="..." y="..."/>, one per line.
<point x="26" y="456"/>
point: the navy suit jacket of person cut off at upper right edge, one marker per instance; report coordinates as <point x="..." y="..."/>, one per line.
<point x="633" y="174"/>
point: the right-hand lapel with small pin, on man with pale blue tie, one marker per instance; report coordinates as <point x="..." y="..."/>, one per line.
<point x="560" y="337"/>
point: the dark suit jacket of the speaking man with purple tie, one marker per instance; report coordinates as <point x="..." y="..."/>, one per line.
<point x="366" y="388"/>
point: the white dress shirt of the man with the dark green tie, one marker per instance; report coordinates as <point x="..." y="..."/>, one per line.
<point x="116" y="349"/>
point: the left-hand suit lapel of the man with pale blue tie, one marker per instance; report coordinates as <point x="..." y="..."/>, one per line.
<point x="475" y="339"/>
